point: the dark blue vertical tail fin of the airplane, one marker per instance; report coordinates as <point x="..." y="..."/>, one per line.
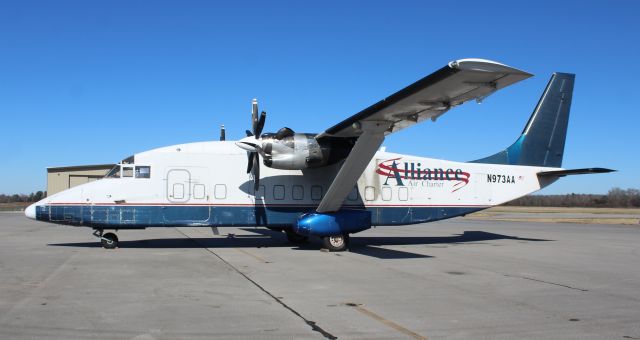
<point x="542" y="140"/>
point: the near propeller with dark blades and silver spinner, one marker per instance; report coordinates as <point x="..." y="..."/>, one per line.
<point x="252" y="145"/>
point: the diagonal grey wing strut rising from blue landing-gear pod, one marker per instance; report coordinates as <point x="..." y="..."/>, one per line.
<point x="366" y="146"/>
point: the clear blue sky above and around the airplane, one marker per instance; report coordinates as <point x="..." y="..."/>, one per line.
<point x="91" y="82"/>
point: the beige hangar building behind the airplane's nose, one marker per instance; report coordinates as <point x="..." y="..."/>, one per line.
<point x="62" y="178"/>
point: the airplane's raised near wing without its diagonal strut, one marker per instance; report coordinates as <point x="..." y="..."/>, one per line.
<point x="433" y="95"/>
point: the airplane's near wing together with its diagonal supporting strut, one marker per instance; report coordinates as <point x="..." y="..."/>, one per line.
<point x="428" y="98"/>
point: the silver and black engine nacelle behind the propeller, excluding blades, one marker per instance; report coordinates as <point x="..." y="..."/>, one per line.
<point x="296" y="151"/>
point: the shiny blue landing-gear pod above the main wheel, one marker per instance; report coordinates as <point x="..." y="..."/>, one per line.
<point x="336" y="223"/>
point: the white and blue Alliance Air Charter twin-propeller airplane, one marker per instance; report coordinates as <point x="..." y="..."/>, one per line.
<point x="329" y="184"/>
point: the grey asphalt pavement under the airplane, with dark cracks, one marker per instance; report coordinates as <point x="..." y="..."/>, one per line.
<point x="453" y="279"/>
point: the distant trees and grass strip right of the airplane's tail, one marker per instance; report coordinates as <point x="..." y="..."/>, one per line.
<point x="615" y="198"/>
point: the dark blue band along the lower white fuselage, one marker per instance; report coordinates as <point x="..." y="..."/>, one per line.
<point x="143" y="216"/>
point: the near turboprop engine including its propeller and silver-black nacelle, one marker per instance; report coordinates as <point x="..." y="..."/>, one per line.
<point x="288" y="150"/>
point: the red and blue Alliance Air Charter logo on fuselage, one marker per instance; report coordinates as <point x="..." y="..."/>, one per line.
<point x="413" y="174"/>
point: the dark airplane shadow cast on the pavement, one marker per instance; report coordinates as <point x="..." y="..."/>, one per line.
<point x="265" y="238"/>
